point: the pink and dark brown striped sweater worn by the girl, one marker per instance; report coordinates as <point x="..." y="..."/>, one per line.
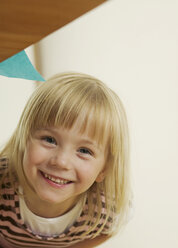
<point x="14" y="233"/>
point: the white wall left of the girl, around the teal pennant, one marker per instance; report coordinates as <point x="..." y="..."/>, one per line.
<point x="13" y="96"/>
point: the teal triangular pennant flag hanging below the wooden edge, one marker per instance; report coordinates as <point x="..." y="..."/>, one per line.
<point x="19" y="66"/>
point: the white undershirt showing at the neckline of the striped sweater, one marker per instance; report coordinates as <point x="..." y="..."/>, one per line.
<point x="50" y="226"/>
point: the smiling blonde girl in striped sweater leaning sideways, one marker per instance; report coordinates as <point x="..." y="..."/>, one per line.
<point x="65" y="170"/>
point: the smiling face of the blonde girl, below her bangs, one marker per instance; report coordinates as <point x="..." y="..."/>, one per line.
<point x="60" y="164"/>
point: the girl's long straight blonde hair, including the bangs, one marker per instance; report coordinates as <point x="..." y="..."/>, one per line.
<point x="63" y="100"/>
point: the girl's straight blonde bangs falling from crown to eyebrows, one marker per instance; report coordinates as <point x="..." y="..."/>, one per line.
<point x="65" y="105"/>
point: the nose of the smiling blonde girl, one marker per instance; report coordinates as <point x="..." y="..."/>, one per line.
<point x="61" y="159"/>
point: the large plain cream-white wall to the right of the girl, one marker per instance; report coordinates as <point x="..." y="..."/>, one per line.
<point x="131" y="45"/>
